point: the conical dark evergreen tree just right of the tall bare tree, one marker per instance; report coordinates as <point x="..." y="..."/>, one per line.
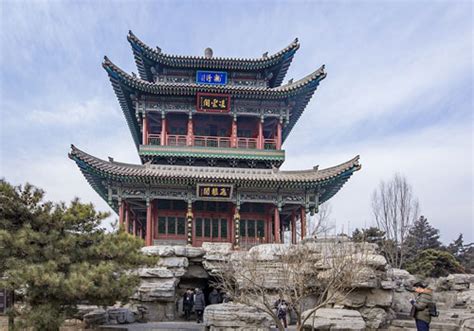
<point x="422" y="236"/>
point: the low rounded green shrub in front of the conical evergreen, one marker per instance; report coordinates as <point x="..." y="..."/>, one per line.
<point x="434" y="263"/>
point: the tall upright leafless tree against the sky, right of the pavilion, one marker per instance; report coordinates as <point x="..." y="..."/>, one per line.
<point x="395" y="209"/>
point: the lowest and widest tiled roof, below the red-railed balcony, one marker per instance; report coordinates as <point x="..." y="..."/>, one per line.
<point x="98" y="172"/>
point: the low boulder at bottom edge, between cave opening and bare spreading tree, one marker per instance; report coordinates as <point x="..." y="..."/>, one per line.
<point x="235" y="316"/>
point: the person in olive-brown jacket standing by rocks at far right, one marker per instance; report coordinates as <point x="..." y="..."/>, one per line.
<point x="421" y="306"/>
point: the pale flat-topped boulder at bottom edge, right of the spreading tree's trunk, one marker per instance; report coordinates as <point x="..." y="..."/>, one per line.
<point x="334" y="319"/>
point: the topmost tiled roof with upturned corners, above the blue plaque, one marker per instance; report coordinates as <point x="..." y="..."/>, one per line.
<point x="147" y="57"/>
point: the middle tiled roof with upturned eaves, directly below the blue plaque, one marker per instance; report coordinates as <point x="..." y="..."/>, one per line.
<point x="124" y="84"/>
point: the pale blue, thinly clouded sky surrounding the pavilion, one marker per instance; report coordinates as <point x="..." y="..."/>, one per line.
<point x="398" y="91"/>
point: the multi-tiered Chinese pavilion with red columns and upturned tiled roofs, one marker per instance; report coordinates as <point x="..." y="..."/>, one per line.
<point x="209" y="132"/>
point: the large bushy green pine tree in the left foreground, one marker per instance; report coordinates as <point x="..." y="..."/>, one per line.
<point x="57" y="256"/>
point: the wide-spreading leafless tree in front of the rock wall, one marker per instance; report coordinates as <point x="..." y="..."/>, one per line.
<point x="307" y="276"/>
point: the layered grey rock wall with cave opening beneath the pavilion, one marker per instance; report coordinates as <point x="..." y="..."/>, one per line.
<point x="380" y="298"/>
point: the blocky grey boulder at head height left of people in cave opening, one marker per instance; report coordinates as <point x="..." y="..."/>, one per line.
<point x="156" y="289"/>
